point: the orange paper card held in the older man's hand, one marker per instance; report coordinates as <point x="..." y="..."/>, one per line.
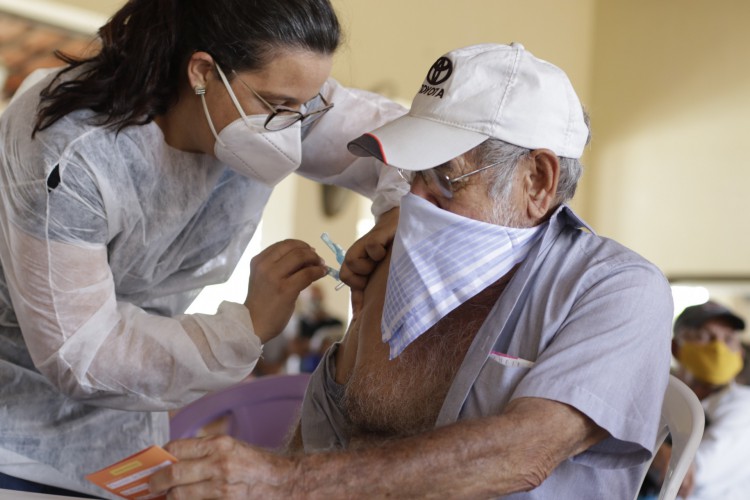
<point x="128" y="478"/>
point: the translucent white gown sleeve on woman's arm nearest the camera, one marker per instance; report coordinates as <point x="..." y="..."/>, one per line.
<point x="55" y="237"/>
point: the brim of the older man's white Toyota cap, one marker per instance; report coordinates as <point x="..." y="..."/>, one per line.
<point x="415" y="143"/>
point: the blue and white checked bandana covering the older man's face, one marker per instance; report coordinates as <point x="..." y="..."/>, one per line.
<point x="439" y="261"/>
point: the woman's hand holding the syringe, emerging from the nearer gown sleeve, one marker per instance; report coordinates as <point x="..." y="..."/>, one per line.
<point x="277" y="276"/>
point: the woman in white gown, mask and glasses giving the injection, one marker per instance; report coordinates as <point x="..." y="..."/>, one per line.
<point x="132" y="179"/>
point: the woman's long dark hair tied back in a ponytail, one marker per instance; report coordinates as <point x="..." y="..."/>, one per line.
<point x="147" y="44"/>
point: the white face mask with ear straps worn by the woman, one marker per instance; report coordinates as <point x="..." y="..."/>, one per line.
<point x="251" y="150"/>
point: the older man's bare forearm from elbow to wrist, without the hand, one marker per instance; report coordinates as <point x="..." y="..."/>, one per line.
<point x="499" y="455"/>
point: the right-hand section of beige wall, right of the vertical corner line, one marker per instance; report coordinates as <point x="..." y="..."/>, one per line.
<point x="671" y="106"/>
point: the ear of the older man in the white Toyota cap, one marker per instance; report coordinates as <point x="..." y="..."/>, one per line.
<point x="540" y="179"/>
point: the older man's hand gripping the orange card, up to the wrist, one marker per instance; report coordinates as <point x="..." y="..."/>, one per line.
<point x="222" y="467"/>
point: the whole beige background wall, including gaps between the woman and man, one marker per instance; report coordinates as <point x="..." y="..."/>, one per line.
<point x="667" y="84"/>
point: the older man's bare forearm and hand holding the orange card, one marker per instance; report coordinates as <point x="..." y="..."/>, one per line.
<point x="487" y="457"/>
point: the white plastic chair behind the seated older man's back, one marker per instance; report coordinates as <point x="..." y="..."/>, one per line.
<point x="681" y="416"/>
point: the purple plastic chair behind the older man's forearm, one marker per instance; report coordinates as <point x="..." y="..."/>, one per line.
<point x="260" y="411"/>
